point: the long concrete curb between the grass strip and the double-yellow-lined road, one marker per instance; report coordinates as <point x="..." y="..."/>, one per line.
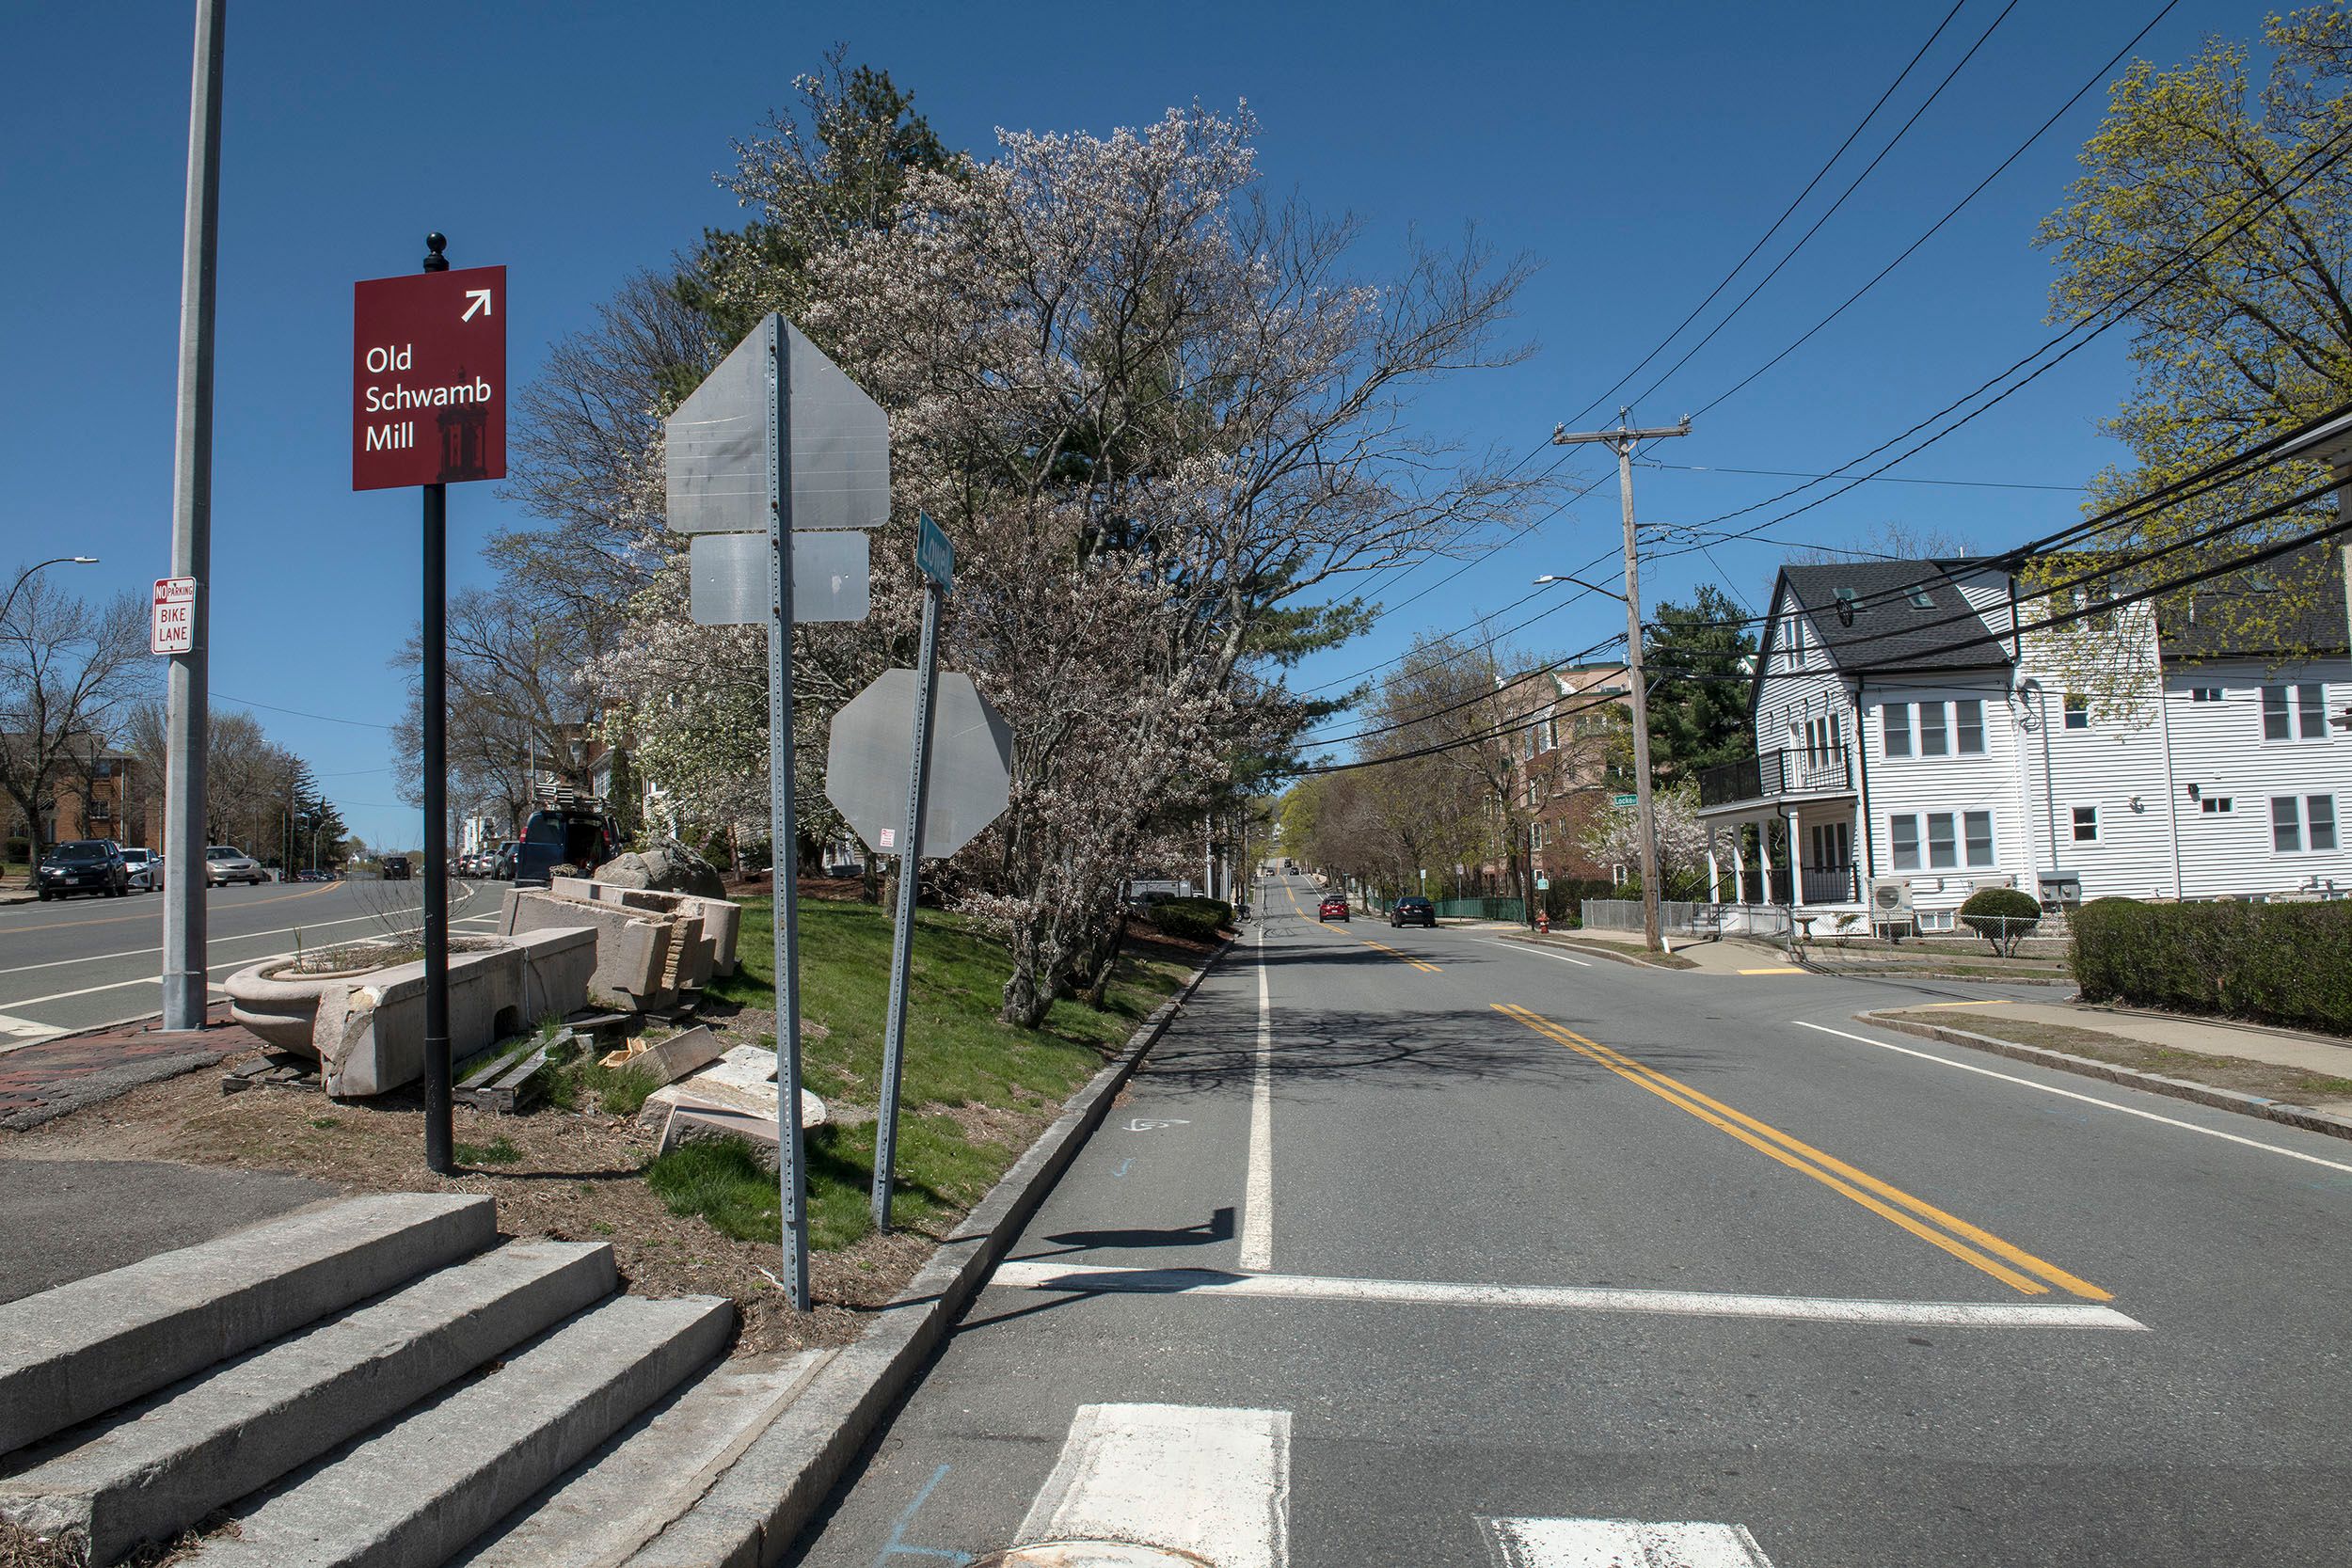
<point x="756" y="1510"/>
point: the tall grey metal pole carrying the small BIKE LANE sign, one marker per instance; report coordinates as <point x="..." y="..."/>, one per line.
<point x="187" y="723"/>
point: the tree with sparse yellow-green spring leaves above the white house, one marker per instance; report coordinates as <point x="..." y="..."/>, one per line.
<point x="2219" y="220"/>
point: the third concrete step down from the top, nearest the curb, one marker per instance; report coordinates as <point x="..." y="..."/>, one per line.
<point x="422" y="1489"/>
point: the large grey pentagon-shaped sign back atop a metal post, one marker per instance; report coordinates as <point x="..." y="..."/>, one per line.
<point x="716" y="443"/>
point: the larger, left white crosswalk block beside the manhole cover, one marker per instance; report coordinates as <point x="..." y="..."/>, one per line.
<point x="1182" y="1477"/>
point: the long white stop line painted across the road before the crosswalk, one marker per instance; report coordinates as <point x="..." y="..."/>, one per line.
<point x="1102" y="1280"/>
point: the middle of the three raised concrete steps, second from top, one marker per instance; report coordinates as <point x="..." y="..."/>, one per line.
<point x="161" y="1466"/>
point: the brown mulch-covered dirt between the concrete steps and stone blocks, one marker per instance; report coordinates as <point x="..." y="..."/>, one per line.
<point x="559" y="1174"/>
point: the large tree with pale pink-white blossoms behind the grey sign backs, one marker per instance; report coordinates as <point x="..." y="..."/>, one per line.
<point x="1161" y="427"/>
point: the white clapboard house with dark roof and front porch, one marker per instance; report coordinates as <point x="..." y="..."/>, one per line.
<point x="1913" y="749"/>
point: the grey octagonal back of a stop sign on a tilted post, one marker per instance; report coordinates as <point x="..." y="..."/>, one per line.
<point x="874" y="749"/>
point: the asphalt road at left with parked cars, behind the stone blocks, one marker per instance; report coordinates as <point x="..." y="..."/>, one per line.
<point x="86" y="963"/>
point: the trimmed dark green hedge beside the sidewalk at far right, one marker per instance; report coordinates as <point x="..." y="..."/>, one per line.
<point x="2273" y="963"/>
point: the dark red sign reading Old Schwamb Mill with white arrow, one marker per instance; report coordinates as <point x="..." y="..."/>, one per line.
<point x="429" y="380"/>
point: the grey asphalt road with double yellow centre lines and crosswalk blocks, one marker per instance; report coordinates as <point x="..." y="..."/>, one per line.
<point x="1488" y="1257"/>
